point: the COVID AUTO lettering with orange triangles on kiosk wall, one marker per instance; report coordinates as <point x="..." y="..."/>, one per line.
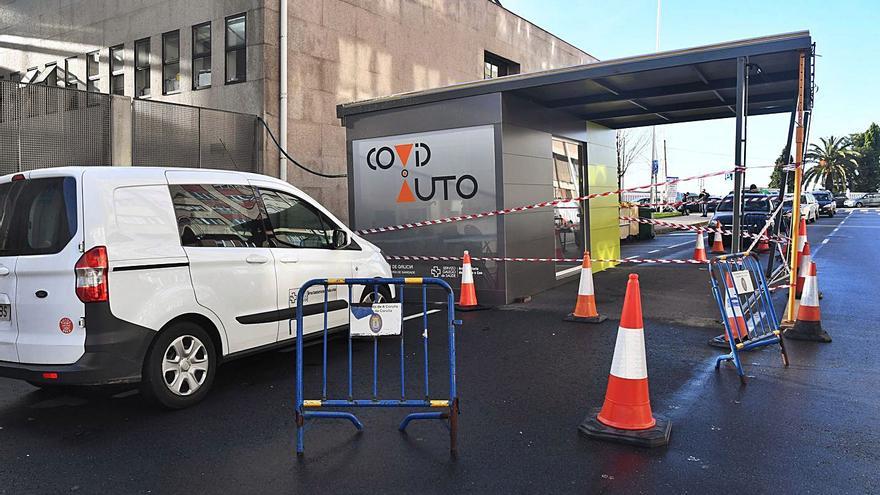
<point x="417" y="155"/>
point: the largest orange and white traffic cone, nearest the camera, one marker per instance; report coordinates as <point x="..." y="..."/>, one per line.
<point x="626" y="415"/>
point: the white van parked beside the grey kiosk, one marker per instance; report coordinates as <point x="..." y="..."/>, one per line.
<point x="157" y="275"/>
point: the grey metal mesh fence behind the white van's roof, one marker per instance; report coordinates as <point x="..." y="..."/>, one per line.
<point x="46" y="126"/>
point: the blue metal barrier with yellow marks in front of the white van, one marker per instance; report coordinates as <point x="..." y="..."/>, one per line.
<point x="449" y="405"/>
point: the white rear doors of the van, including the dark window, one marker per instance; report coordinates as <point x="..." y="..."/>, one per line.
<point x="40" y="236"/>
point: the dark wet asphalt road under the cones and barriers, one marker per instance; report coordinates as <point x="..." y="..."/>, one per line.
<point x="526" y="380"/>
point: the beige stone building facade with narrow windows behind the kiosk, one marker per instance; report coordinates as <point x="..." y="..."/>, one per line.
<point x="338" y="51"/>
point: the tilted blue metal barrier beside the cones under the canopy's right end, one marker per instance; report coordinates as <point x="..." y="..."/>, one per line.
<point x="746" y="307"/>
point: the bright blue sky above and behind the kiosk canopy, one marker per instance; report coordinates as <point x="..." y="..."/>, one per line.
<point x="847" y="68"/>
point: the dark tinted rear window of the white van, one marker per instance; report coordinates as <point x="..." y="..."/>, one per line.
<point x="37" y="216"/>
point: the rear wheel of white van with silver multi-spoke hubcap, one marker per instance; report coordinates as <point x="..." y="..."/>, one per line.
<point x="180" y="366"/>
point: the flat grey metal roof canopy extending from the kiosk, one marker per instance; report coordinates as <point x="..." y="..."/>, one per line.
<point x="660" y="88"/>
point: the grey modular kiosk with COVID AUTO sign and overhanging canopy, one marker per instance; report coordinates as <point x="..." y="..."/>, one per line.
<point x="523" y="139"/>
